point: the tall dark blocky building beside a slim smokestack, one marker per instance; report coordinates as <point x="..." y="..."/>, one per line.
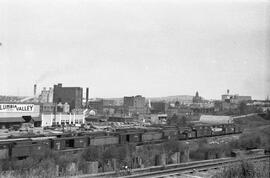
<point x="70" y="95"/>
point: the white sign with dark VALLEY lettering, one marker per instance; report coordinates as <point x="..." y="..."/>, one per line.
<point x="16" y="108"/>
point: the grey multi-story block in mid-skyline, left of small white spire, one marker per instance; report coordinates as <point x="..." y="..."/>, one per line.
<point x="134" y="105"/>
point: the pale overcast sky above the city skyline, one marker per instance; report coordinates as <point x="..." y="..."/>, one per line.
<point x="130" y="47"/>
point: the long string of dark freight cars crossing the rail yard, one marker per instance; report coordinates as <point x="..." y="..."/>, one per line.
<point x="24" y="147"/>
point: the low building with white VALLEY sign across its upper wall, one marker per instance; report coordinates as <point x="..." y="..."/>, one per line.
<point x="17" y="113"/>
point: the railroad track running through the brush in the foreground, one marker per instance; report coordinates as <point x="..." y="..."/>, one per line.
<point x="175" y="169"/>
